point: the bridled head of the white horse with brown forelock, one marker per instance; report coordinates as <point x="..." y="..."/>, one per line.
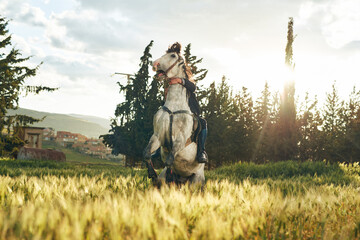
<point x="171" y="64"/>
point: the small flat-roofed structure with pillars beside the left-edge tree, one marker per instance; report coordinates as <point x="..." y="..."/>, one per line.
<point x="32" y="136"/>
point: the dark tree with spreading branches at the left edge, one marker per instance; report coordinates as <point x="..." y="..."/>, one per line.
<point x="13" y="75"/>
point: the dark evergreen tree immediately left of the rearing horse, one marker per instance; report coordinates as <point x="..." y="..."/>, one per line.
<point x="132" y="125"/>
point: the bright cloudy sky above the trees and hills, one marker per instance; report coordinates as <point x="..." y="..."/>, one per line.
<point x="82" y="43"/>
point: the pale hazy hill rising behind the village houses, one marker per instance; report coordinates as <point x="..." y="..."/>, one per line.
<point x="89" y="126"/>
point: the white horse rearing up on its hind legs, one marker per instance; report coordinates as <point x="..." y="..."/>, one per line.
<point x="174" y="125"/>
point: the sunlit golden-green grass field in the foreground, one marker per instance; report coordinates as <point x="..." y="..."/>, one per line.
<point x="285" y="200"/>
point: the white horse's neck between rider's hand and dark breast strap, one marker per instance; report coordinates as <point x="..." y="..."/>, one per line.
<point x="177" y="98"/>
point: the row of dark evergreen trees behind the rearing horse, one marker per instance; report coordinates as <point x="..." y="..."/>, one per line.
<point x="272" y="127"/>
